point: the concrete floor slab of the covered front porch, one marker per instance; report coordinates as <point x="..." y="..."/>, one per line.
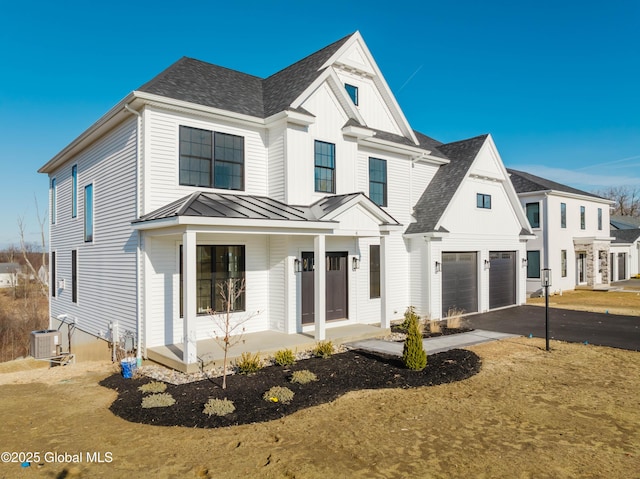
<point x="210" y="353"/>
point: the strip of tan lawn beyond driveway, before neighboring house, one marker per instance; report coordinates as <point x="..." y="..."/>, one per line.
<point x="616" y="302"/>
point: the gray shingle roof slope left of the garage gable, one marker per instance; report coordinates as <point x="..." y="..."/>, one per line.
<point x="445" y="183"/>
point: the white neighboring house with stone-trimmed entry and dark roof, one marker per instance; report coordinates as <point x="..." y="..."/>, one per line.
<point x="572" y="229"/>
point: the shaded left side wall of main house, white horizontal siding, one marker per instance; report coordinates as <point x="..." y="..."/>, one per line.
<point x="106" y="267"/>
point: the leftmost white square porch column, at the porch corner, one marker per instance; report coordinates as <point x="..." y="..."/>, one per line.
<point x="189" y="355"/>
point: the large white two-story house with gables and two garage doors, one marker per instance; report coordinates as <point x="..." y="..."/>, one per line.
<point x="206" y="173"/>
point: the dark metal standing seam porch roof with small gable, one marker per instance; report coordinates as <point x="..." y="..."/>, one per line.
<point x="252" y="207"/>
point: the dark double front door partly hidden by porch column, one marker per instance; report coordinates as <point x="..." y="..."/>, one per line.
<point x="336" y="286"/>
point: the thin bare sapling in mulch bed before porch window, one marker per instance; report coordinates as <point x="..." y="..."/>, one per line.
<point x="227" y="330"/>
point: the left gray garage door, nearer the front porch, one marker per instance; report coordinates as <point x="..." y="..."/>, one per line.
<point x="460" y="282"/>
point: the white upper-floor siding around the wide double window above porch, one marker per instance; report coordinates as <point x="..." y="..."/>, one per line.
<point x="162" y="162"/>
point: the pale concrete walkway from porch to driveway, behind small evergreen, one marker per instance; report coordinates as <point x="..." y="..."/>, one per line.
<point x="432" y="345"/>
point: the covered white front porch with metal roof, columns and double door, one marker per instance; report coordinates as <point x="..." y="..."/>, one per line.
<point x="189" y="245"/>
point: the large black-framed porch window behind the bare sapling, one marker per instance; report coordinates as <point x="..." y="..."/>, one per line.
<point x="215" y="264"/>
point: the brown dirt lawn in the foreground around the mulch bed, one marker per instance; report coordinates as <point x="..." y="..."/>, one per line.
<point x="573" y="412"/>
